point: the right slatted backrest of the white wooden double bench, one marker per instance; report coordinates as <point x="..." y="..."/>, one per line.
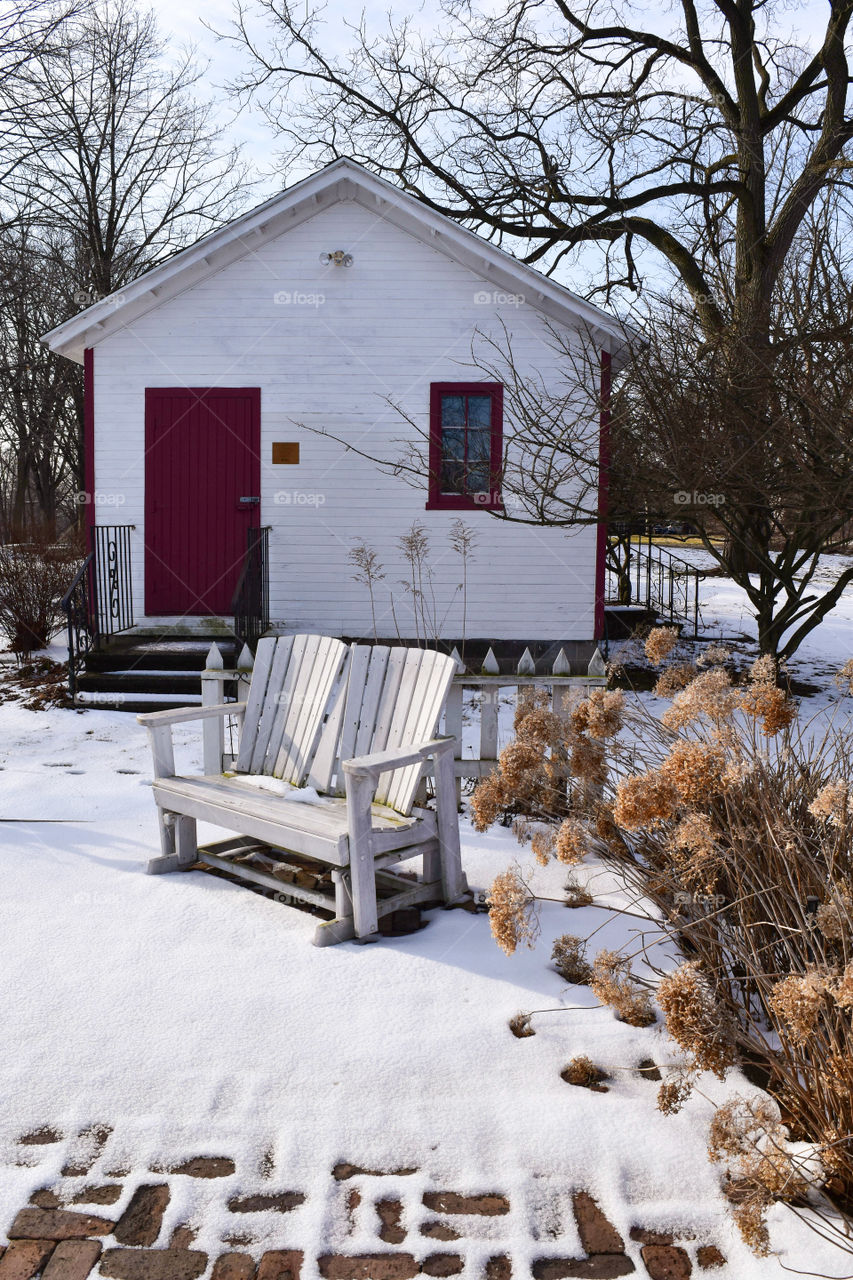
<point x="393" y="698"/>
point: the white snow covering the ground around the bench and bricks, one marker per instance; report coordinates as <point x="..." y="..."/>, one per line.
<point x="195" y="1018"/>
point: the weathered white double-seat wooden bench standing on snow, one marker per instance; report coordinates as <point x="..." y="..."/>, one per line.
<point x="357" y="726"/>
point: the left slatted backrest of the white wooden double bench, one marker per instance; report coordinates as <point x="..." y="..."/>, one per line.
<point x="289" y="698"/>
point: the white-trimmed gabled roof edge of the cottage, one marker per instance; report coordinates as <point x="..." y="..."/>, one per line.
<point x="343" y="180"/>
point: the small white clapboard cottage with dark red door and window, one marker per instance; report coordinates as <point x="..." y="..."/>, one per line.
<point x="221" y="385"/>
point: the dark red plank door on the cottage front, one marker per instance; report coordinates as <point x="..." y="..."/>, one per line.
<point x="202" y="495"/>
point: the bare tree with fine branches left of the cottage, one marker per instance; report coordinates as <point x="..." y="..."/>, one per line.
<point x="117" y="164"/>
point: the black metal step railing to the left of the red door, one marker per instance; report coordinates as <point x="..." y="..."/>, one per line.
<point x="99" y="602"/>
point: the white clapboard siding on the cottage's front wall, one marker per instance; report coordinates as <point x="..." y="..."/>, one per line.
<point x="403" y="317"/>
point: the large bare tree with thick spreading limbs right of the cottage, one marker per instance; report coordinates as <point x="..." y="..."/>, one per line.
<point x="701" y="159"/>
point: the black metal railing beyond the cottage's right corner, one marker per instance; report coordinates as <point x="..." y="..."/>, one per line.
<point x="642" y="573"/>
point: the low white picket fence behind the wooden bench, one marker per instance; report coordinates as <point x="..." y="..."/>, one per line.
<point x="473" y="721"/>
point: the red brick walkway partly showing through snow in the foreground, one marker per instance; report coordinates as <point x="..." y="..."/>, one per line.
<point x="66" y="1232"/>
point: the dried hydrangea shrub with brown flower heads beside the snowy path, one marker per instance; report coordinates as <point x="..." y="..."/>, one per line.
<point x="738" y="833"/>
